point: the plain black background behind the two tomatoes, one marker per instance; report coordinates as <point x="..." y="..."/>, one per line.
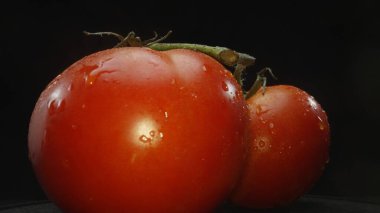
<point x="329" y="49"/>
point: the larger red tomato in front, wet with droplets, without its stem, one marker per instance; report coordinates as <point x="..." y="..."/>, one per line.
<point x="137" y="130"/>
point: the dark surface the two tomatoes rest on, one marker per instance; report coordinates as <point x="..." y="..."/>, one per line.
<point x="307" y="204"/>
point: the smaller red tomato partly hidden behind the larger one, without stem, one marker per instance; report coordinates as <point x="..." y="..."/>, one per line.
<point x="290" y="147"/>
